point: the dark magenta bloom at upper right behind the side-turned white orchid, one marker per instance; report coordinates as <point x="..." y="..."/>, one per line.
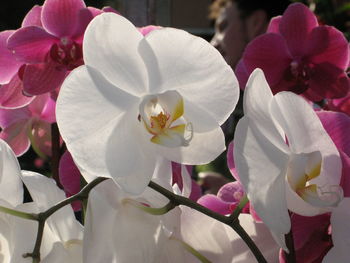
<point x="299" y="55"/>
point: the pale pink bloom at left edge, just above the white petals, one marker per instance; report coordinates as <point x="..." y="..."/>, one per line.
<point x="29" y="125"/>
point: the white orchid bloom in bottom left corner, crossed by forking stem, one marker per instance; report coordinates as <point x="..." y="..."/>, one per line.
<point x="63" y="234"/>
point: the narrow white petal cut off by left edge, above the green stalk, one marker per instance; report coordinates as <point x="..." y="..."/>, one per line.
<point x="11" y="188"/>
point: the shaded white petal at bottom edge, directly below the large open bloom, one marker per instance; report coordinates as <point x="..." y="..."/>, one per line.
<point x="117" y="232"/>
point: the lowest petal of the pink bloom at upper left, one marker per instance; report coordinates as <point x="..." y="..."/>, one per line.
<point x="43" y="77"/>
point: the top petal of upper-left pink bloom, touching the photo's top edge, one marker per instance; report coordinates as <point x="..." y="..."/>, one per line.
<point x="61" y="17"/>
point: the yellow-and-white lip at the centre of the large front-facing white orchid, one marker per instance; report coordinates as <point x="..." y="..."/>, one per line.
<point x="162" y="116"/>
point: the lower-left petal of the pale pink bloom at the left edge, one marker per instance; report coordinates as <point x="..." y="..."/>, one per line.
<point x="16" y="136"/>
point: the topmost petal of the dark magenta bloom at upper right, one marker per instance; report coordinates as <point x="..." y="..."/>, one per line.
<point x="296" y="25"/>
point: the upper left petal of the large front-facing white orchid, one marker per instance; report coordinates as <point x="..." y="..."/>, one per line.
<point x="111" y="45"/>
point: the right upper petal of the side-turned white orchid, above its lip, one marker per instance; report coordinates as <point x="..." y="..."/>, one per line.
<point x="306" y="134"/>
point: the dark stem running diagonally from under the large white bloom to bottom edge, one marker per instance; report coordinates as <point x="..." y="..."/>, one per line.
<point x="231" y="221"/>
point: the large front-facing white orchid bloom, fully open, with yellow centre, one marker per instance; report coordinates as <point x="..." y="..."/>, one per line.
<point x="137" y="98"/>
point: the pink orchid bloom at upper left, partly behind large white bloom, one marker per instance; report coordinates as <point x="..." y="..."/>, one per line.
<point x="50" y="45"/>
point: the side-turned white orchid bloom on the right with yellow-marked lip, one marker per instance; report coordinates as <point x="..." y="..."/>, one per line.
<point x="284" y="156"/>
